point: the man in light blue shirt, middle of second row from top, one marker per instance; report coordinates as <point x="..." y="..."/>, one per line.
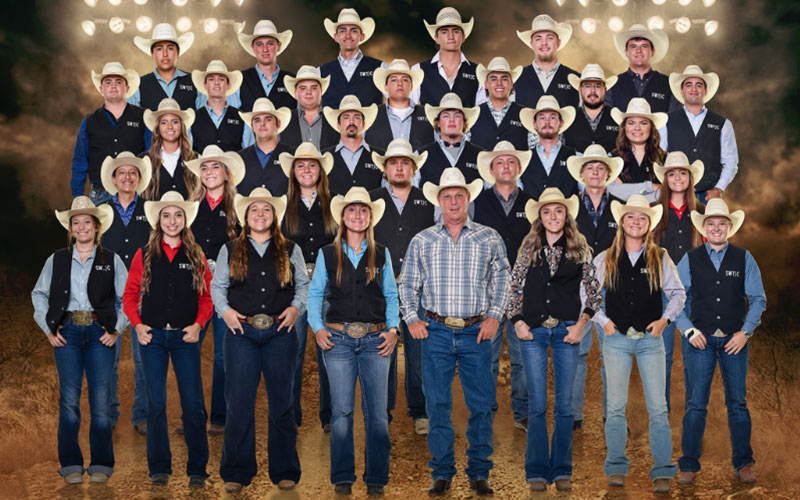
<point x="399" y="118"/>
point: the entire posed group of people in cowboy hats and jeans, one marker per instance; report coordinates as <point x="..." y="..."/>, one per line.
<point x="440" y="206"/>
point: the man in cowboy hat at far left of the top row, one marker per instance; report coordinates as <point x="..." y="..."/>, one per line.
<point x="166" y="81"/>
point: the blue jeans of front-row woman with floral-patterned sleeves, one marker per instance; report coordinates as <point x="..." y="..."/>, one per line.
<point x="541" y="463"/>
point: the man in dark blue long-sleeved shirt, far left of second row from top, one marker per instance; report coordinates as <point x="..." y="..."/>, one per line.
<point x="114" y="127"/>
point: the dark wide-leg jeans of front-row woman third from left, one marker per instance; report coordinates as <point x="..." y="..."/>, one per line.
<point x="247" y="357"/>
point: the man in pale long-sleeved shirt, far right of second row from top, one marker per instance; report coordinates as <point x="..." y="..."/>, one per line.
<point x="700" y="133"/>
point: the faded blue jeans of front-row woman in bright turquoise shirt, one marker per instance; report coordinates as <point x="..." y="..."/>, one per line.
<point x="347" y="359"/>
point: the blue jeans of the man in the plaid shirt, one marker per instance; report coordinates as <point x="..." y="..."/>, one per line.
<point x="441" y="352"/>
